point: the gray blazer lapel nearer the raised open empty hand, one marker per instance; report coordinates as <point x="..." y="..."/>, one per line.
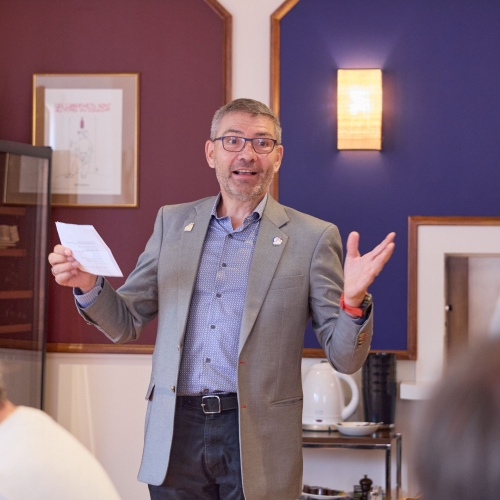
<point x="265" y="260"/>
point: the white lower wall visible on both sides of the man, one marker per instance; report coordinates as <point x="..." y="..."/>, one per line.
<point x="99" y="398"/>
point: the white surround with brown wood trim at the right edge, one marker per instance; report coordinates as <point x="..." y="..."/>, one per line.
<point x="430" y="240"/>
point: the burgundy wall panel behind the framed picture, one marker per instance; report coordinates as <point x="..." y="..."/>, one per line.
<point x="176" y="45"/>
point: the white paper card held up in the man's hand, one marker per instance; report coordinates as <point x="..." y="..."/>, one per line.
<point x="89" y="249"/>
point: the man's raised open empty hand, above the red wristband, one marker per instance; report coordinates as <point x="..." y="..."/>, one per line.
<point x="361" y="270"/>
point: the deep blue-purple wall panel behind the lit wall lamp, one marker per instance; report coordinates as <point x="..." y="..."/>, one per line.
<point x="441" y="145"/>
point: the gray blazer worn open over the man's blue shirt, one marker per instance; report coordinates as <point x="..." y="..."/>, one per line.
<point x="287" y="284"/>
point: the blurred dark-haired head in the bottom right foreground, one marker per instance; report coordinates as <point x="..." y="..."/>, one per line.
<point x="458" y="443"/>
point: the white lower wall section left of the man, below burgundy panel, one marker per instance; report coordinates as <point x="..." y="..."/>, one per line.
<point x="99" y="398"/>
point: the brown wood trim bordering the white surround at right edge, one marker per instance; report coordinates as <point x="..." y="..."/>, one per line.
<point x="413" y="225"/>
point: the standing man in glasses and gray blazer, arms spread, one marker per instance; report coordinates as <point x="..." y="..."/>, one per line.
<point x="234" y="280"/>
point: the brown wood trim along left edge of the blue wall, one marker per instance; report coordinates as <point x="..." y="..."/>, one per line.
<point x="276" y="17"/>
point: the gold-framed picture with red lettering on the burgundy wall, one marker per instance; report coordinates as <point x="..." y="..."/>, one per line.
<point x="91" y="123"/>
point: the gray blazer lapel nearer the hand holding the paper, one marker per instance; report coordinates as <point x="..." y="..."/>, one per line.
<point x="190" y="249"/>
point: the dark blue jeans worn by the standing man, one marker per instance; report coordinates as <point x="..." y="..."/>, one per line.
<point x="205" y="458"/>
